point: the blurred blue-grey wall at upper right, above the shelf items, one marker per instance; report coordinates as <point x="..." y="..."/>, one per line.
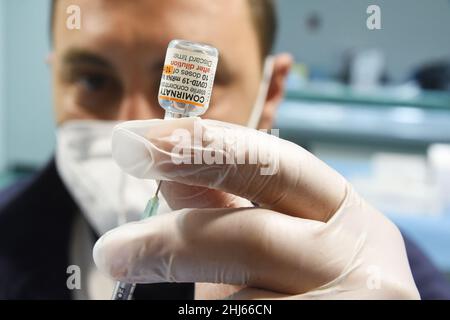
<point x="413" y="31"/>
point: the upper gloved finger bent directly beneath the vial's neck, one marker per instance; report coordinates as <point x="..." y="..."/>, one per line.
<point x="264" y="169"/>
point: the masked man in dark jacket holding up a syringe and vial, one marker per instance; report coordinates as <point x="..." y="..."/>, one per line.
<point x="315" y="238"/>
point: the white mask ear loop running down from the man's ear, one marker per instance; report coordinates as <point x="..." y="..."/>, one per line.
<point x="258" y="107"/>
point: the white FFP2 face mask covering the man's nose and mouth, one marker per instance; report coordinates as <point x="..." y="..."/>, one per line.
<point x="105" y="194"/>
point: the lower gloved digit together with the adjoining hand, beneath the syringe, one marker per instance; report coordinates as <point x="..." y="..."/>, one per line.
<point x="358" y="253"/>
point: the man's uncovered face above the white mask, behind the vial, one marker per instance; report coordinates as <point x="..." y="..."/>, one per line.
<point x="111" y="68"/>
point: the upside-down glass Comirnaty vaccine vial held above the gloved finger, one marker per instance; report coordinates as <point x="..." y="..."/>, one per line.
<point x="187" y="78"/>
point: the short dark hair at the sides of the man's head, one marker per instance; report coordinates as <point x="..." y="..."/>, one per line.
<point x="264" y="18"/>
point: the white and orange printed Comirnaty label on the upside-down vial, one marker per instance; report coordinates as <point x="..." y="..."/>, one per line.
<point x="188" y="77"/>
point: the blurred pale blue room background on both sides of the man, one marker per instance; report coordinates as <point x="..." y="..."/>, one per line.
<point x="374" y="104"/>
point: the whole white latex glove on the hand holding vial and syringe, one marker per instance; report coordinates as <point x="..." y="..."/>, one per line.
<point x="312" y="237"/>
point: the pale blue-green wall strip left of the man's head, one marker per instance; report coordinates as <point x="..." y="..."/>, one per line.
<point x="29" y="127"/>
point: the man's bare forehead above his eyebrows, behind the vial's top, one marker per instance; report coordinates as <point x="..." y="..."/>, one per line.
<point x="225" y="24"/>
